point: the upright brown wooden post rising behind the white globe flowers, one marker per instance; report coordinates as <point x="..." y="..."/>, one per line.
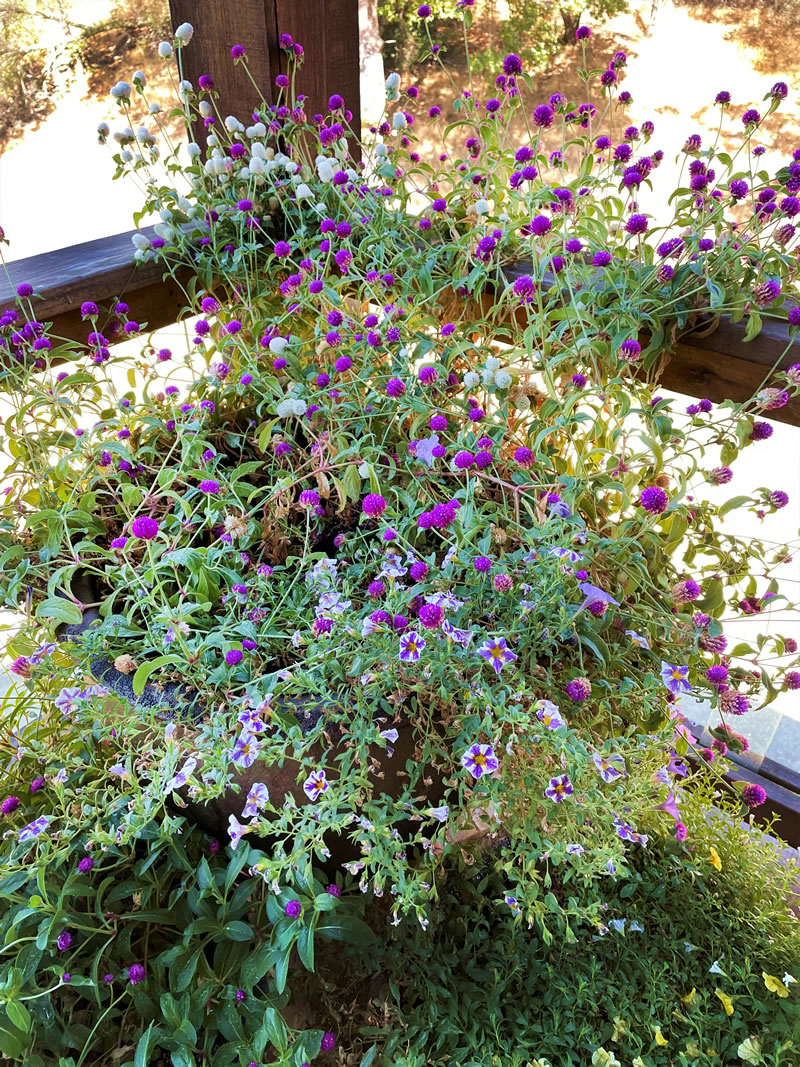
<point x="327" y="29"/>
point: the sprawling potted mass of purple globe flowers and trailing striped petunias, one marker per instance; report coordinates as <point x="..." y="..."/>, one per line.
<point x="407" y="555"/>
